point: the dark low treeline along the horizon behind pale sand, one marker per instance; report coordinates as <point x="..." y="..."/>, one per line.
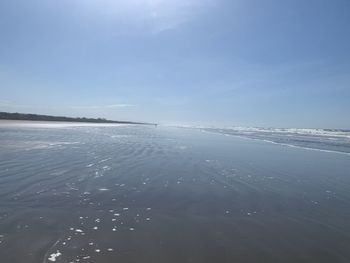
<point x="37" y="117"/>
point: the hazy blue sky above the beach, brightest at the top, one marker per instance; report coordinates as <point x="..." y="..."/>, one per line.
<point x="268" y="63"/>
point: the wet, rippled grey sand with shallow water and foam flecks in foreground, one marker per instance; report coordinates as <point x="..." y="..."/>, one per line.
<point x="145" y="194"/>
